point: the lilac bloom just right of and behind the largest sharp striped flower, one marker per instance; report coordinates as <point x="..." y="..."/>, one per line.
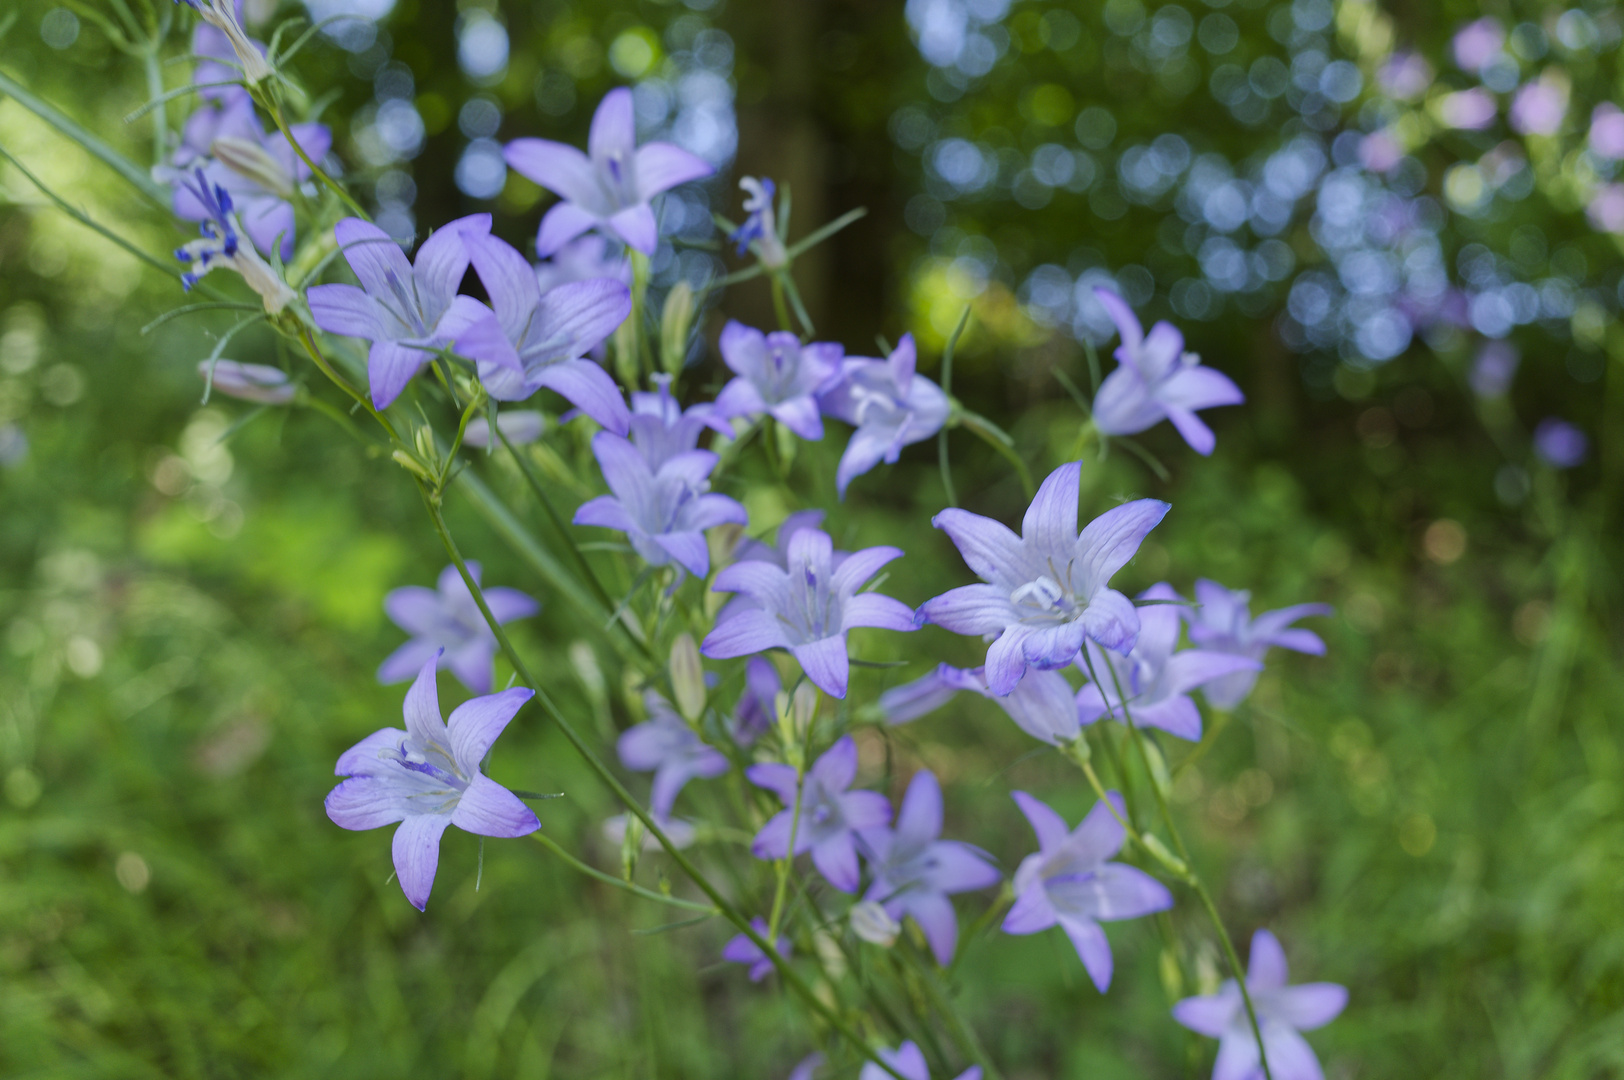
<point x="1155" y="680"/>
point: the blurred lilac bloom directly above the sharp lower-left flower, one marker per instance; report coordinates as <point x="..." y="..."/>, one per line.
<point x="446" y="624"/>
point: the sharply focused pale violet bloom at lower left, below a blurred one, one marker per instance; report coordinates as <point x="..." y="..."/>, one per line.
<point x="428" y="777"/>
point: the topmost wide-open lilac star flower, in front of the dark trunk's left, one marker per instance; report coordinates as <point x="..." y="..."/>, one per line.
<point x="610" y="186"/>
